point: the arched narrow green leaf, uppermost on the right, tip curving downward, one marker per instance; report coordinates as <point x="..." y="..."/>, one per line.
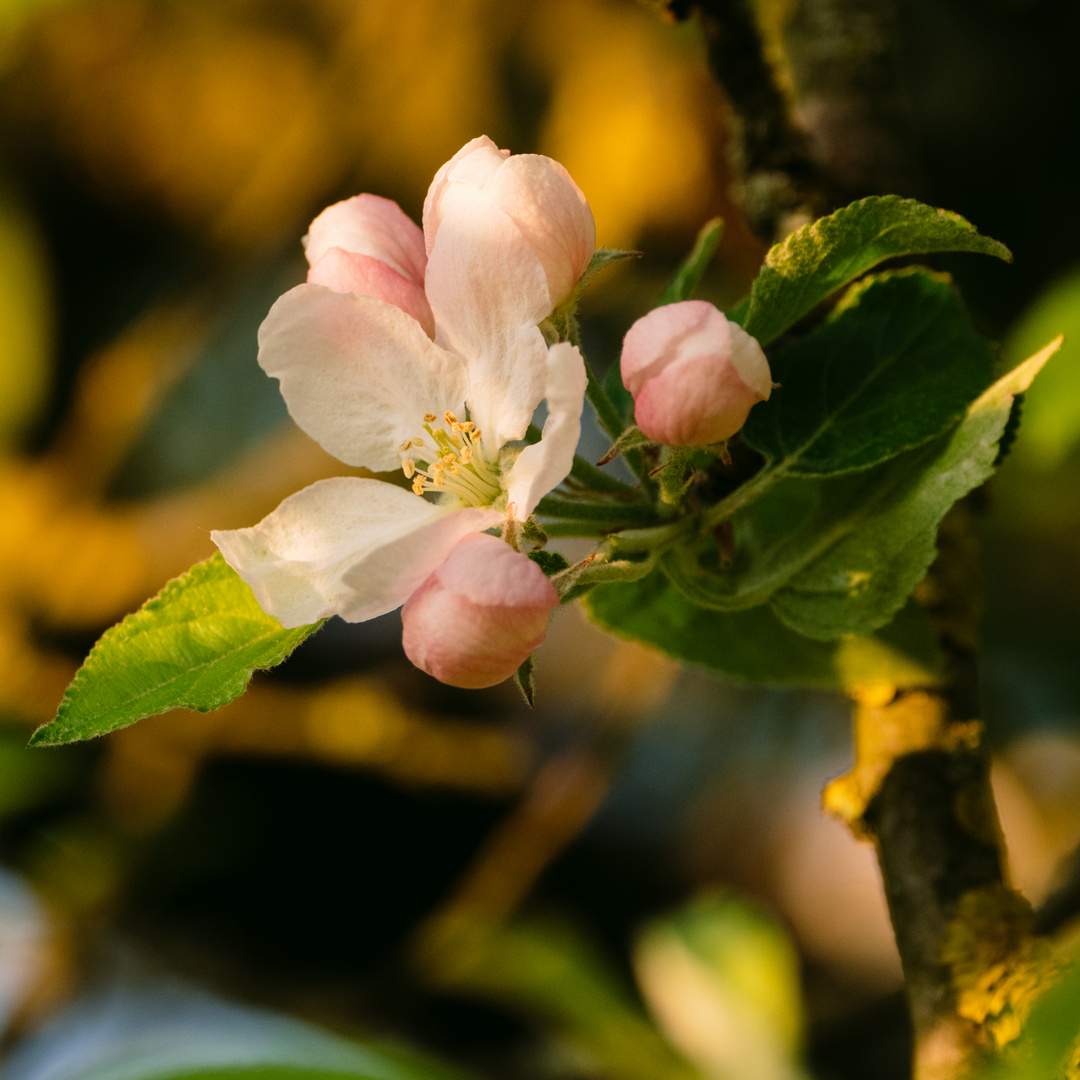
<point x="828" y="254"/>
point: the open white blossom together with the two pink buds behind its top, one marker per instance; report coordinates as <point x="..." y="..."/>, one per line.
<point x="418" y="352"/>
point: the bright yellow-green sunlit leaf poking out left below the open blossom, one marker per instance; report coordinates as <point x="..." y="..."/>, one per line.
<point x="196" y="645"/>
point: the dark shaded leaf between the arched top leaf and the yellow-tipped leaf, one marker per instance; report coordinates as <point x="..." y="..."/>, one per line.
<point x="896" y="364"/>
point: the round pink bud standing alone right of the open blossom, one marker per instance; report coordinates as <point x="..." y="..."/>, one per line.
<point x="695" y="375"/>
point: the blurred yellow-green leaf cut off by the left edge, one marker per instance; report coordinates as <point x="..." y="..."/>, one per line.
<point x="25" y="322"/>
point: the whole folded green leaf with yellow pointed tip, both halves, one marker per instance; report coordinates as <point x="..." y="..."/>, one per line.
<point x="842" y="556"/>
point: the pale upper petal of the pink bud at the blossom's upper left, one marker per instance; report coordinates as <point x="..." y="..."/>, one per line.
<point x="370" y="225"/>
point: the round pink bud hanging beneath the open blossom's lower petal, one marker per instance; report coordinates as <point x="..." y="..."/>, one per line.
<point x="478" y="618"/>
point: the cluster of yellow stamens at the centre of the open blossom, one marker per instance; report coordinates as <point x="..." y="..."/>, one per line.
<point x="451" y="460"/>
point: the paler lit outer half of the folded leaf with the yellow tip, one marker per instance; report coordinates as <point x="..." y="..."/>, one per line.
<point x="867" y="576"/>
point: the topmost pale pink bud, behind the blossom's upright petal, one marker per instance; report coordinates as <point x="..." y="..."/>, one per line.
<point x="536" y="193"/>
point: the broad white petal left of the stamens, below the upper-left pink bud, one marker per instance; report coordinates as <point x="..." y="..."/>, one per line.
<point x="358" y="374"/>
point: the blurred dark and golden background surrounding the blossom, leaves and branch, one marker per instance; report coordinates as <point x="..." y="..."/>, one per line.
<point x="522" y="894"/>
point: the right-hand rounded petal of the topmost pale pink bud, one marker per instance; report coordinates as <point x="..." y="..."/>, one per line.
<point x="552" y="214"/>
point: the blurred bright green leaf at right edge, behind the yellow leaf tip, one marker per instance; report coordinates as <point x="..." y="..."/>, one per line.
<point x="1051" y="425"/>
